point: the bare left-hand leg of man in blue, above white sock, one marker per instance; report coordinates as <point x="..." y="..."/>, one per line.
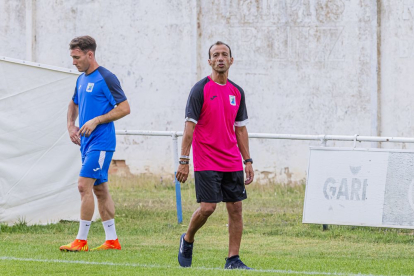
<point x="85" y="185"/>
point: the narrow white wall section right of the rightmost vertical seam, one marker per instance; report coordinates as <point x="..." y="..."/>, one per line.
<point x="397" y="67"/>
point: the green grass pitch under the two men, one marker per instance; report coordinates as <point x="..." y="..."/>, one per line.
<point x="274" y="238"/>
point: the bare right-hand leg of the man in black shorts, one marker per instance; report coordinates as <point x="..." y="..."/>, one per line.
<point x="234" y="210"/>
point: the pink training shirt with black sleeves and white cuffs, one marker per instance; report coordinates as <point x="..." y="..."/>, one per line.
<point x="216" y="109"/>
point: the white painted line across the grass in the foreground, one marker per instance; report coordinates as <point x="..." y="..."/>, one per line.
<point x="279" y="271"/>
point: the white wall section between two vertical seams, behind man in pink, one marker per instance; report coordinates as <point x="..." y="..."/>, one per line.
<point x="306" y="67"/>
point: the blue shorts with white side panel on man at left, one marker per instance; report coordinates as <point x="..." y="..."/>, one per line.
<point x="95" y="164"/>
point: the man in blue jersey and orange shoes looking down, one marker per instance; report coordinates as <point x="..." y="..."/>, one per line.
<point x="98" y="100"/>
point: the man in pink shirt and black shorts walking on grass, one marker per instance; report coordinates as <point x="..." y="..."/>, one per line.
<point x="216" y="118"/>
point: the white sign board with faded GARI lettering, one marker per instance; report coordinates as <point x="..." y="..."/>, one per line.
<point x="362" y="187"/>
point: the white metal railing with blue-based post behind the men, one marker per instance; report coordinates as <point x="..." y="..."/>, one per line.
<point x="322" y="137"/>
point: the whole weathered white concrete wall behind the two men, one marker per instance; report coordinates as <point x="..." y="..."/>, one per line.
<point x="307" y="66"/>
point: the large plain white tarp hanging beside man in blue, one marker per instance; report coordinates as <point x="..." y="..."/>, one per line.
<point x="39" y="165"/>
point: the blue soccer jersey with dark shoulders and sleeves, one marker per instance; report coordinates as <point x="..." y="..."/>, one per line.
<point x="96" y="94"/>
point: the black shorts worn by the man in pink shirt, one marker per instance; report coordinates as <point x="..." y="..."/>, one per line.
<point x="214" y="186"/>
